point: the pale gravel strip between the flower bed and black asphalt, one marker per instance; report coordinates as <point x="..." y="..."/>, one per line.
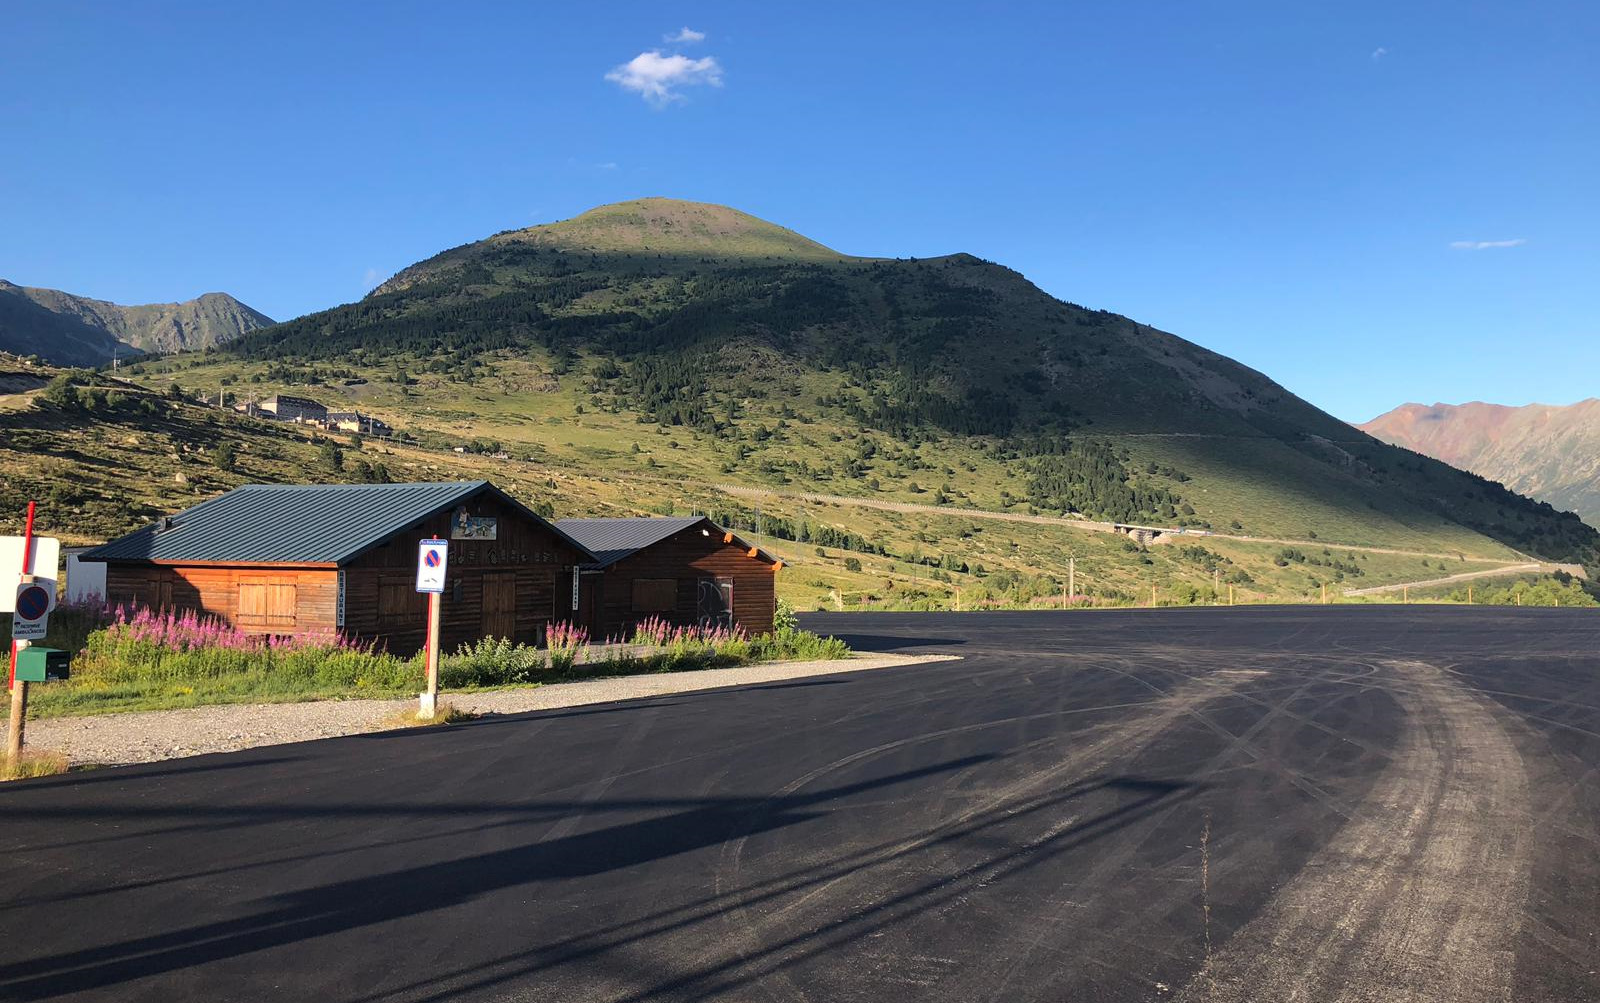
<point x="164" y="735"/>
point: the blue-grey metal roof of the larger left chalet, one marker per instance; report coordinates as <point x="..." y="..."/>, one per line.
<point x="297" y="524"/>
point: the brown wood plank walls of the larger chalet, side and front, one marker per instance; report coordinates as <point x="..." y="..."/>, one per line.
<point x="542" y="562"/>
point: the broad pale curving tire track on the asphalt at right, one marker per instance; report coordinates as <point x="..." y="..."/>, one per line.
<point x="1422" y="893"/>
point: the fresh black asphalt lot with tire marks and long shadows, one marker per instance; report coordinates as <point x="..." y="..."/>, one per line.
<point x="1362" y="802"/>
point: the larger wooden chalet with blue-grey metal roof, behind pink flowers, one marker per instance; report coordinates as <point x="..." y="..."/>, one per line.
<point x="295" y="559"/>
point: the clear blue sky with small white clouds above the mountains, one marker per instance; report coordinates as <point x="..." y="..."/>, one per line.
<point x="1300" y="186"/>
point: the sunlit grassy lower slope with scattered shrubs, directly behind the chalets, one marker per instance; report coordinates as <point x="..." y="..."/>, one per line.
<point x="116" y="455"/>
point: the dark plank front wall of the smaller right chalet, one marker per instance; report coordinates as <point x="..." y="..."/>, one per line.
<point x="686" y="557"/>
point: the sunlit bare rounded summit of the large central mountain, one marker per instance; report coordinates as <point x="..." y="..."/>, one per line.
<point x="673" y="226"/>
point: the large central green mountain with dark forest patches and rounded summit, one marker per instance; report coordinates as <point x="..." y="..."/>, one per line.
<point x="735" y="330"/>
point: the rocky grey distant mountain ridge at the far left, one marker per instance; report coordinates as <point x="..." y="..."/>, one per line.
<point x="82" y="332"/>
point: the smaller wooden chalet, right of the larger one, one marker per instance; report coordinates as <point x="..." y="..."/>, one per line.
<point x="684" y="570"/>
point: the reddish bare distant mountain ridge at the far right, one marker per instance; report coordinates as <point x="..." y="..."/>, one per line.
<point x="1548" y="452"/>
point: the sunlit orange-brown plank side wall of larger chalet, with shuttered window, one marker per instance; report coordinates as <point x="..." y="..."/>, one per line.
<point x="214" y="591"/>
